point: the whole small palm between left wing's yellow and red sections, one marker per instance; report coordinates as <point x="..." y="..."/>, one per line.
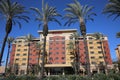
<point x="29" y="39"/>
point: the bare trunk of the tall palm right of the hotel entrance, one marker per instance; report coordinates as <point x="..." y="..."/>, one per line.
<point x="87" y="56"/>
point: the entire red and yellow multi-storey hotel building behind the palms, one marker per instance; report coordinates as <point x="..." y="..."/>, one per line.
<point x="59" y="58"/>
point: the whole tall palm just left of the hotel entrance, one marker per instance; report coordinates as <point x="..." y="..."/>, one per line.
<point x="44" y="16"/>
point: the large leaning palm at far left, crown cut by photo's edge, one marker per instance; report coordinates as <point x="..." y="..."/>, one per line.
<point x="13" y="12"/>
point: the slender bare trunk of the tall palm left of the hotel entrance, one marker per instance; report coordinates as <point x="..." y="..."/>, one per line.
<point x="43" y="59"/>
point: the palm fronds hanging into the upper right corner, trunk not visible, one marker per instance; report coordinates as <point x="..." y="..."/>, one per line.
<point x="112" y="9"/>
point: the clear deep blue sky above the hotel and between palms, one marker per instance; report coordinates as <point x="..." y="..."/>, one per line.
<point x="101" y="22"/>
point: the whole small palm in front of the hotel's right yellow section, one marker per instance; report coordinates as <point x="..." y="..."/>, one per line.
<point x="99" y="37"/>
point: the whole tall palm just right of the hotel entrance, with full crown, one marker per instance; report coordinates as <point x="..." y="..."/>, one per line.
<point x="80" y="14"/>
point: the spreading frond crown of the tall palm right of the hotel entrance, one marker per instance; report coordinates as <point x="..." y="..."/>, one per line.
<point x="76" y="12"/>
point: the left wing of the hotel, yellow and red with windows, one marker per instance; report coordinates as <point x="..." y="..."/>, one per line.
<point x="20" y="52"/>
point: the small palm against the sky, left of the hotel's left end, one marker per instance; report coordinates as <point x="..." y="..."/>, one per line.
<point x="9" y="41"/>
